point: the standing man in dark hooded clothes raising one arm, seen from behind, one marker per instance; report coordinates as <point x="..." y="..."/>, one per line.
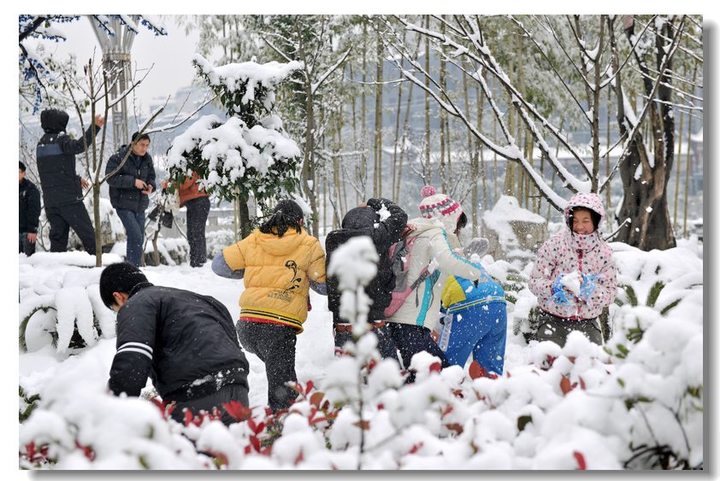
<point x="61" y="186"/>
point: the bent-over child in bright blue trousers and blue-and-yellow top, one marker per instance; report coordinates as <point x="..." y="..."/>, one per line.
<point x="475" y="321"/>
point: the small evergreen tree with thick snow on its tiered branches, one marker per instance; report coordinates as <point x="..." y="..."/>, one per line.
<point x="249" y="154"/>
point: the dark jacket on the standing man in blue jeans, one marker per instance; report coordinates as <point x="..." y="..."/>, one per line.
<point x="123" y="193"/>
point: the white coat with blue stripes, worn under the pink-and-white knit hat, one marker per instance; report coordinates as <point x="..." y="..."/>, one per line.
<point x="434" y="248"/>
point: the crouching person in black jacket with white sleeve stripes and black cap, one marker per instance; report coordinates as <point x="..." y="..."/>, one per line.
<point x="185" y="342"/>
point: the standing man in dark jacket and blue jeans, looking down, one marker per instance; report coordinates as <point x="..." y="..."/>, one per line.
<point x="131" y="183"/>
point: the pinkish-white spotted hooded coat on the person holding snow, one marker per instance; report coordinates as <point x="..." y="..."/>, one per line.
<point x="567" y="252"/>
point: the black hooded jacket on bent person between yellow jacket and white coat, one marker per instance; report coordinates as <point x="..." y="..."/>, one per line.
<point x="366" y="221"/>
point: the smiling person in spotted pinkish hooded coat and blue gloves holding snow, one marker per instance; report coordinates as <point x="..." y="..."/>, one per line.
<point x="574" y="277"/>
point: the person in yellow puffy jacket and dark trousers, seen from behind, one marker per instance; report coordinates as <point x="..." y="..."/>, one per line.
<point x="279" y="262"/>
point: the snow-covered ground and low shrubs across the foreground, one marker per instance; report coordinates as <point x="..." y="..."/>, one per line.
<point x="579" y="407"/>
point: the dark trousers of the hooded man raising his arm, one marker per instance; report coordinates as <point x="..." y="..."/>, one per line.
<point x="63" y="218"/>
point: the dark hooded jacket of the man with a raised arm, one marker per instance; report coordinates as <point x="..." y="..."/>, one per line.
<point x="56" y="159"/>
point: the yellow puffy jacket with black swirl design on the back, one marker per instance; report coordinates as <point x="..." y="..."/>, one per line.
<point x="278" y="271"/>
